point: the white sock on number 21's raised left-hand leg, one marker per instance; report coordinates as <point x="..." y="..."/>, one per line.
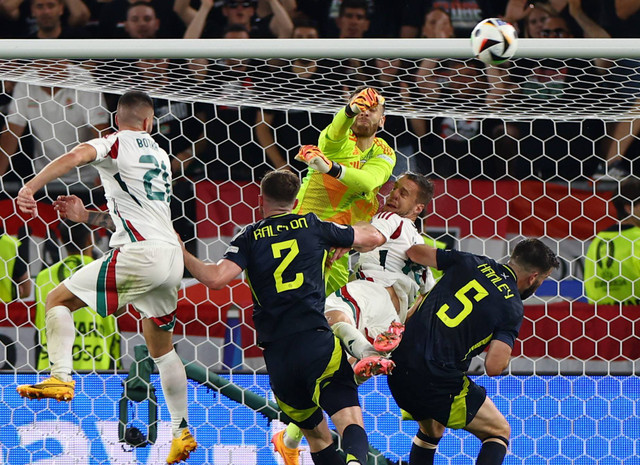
<point x="61" y="333"/>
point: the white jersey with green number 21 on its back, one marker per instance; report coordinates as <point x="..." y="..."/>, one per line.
<point x="136" y="175"/>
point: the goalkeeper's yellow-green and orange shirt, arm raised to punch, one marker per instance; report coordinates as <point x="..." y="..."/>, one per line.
<point x="354" y="197"/>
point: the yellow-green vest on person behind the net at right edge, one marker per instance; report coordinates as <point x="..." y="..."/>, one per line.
<point x="612" y="266"/>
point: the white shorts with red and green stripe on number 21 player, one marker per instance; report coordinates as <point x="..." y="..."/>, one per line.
<point x="145" y="274"/>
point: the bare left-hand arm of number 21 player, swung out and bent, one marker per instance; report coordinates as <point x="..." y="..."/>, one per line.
<point x="78" y="156"/>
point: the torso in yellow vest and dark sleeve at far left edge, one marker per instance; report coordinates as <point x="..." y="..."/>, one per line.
<point x="14" y="274"/>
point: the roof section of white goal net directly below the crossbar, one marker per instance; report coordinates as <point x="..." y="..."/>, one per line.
<point x="526" y="88"/>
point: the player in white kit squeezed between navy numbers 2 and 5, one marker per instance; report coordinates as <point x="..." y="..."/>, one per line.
<point x="368" y="313"/>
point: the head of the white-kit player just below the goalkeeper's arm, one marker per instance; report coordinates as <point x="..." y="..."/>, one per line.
<point x="410" y="194"/>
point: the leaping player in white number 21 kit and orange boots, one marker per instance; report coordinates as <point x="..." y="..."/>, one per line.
<point x="144" y="268"/>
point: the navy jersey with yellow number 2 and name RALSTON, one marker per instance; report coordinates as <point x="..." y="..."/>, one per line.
<point x="283" y="257"/>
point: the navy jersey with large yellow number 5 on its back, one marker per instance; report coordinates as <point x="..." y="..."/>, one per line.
<point x="475" y="301"/>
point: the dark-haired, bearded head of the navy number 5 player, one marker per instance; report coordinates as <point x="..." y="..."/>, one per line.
<point x="533" y="262"/>
